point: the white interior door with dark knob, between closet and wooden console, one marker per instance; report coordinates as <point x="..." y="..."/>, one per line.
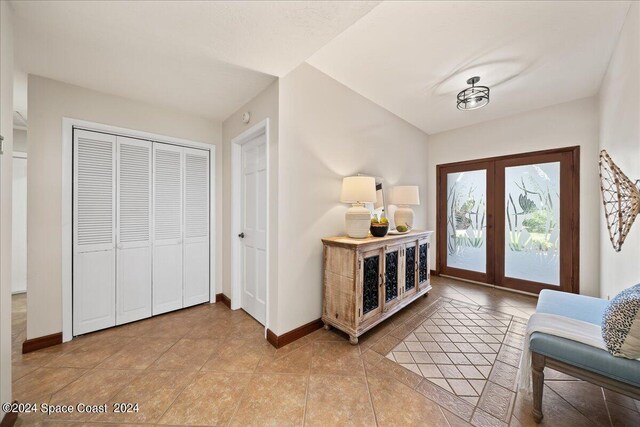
<point x="254" y="228"/>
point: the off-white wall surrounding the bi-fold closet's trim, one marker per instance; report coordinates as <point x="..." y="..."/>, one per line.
<point x="50" y="101"/>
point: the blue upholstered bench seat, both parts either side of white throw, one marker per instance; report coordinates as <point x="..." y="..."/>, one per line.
<point x="586" y="309"/>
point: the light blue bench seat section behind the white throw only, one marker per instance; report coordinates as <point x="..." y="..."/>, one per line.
<point x="579" y="307"/>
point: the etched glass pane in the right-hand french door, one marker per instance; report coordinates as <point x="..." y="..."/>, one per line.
<point x="532" y="222"/>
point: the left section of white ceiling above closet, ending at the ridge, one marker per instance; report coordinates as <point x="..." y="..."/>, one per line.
<point x="207" y="58"/>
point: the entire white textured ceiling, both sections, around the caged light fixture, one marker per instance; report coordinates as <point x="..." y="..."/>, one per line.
<point x="209" y="58"/>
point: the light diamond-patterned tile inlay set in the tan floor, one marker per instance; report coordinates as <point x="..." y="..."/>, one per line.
<point x="460" y="347"/>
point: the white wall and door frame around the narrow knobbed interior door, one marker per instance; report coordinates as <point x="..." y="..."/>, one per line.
<point x="262" y="106"/>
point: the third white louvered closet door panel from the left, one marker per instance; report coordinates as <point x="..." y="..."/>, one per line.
<point x="168" y="208"/>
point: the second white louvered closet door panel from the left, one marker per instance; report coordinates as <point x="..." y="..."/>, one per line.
<point x="133" y="284"/>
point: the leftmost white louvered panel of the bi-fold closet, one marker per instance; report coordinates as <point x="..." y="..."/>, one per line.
<point x="94" y="231"/>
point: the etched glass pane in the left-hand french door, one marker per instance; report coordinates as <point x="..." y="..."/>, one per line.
<point x="466" y="220"/>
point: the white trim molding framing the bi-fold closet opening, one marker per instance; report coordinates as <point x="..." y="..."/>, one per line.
<point x="68" y="124"/>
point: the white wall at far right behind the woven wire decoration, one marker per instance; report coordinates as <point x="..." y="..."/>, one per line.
<point x="620" y="136"/>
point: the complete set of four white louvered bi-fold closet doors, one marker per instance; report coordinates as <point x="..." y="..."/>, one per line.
<point x="141" y="229"/>
